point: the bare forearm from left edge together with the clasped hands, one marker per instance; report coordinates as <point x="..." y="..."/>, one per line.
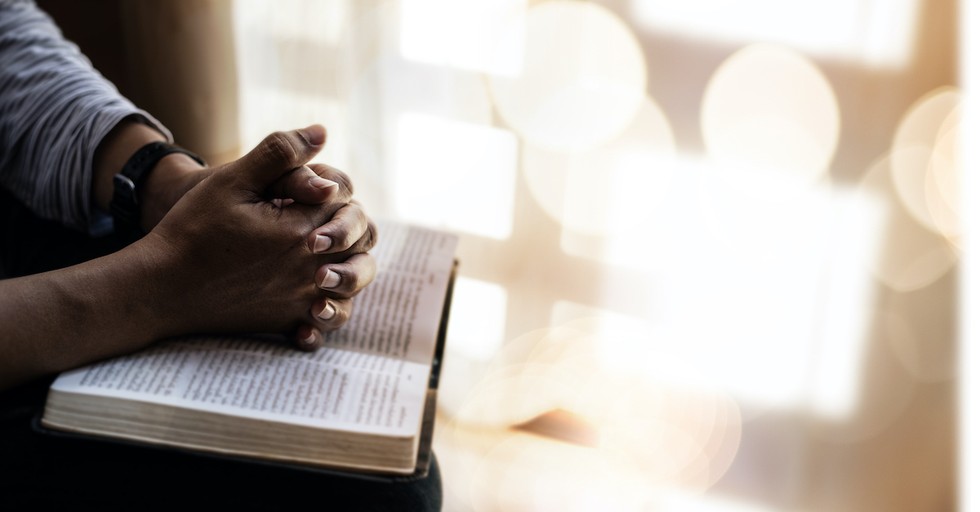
<point x="225" y="258"/>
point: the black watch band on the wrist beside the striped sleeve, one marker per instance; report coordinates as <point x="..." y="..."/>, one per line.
<point x="127" y="185"/>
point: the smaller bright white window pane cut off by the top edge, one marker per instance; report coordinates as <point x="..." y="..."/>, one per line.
<point x="465" y="34"/>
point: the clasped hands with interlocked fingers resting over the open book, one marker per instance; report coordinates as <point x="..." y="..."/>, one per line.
<point x="241" y="262"/>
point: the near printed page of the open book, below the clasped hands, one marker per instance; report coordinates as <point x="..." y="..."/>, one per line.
<point x="332" y="388"/>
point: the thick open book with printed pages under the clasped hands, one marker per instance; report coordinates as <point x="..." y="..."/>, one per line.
<point x="364" y="402"/>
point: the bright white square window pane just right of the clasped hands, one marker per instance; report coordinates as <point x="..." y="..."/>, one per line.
<point x="455" y="175"/>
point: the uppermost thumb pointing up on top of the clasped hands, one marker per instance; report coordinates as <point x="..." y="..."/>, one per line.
<point x="277" y="154"/>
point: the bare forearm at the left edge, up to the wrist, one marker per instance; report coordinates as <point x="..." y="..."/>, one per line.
<point x="65" y="318"/>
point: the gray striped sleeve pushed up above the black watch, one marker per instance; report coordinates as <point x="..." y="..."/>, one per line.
<point x="54" y="111"/>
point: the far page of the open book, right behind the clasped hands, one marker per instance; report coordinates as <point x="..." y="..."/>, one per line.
<point x="399" y="313"/>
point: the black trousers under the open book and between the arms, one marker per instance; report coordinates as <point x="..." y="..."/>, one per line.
<point x="44" y="470"/>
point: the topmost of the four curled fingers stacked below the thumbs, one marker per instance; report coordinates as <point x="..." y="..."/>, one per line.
<point x="348" y="229"/>
